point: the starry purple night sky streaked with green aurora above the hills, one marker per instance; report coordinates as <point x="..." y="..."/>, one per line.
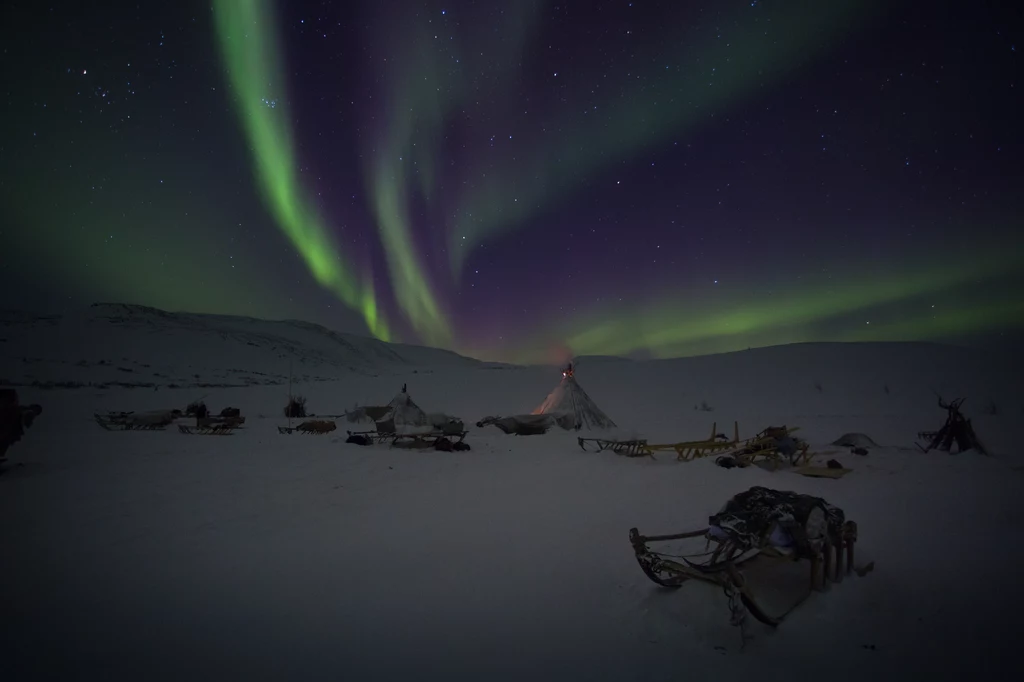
<point x="518" y="181"/>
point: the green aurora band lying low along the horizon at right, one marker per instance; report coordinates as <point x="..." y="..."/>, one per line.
<point x="670" y="329"/>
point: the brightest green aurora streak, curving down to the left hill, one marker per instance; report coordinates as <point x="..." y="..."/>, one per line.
<point x="249" y="49"/>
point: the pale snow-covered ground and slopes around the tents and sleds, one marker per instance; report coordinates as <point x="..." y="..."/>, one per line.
<point x="157" y="556"/>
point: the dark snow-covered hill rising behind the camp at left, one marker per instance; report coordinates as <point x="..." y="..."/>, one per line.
<point x="139" y="347"/>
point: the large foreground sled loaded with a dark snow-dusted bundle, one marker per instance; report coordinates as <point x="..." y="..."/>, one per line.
<point x="758" y="525"/>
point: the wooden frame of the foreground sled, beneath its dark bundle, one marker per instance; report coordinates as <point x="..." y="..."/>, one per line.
<point x="833" y="559"/>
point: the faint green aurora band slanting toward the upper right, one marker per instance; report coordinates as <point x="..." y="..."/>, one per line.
<point x="708" y="76"/>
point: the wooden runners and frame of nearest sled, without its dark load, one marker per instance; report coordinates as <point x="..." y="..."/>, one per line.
<point x="720" y="563"/>
